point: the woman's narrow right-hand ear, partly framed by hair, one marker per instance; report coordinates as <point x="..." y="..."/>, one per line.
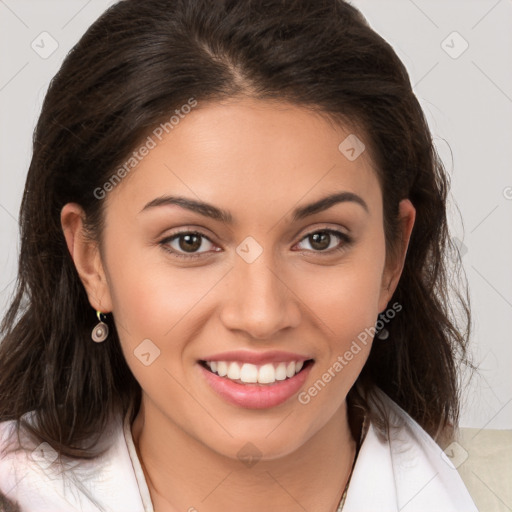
<point x="395" y="264"/>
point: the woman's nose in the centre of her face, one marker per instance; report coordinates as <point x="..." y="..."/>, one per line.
<point x="258" y="299"/>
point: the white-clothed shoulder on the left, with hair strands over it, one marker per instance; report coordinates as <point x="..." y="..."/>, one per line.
<point x="34" y="479"/>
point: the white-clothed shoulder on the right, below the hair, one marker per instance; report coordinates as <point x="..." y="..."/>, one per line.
<point x="408" y="471"/>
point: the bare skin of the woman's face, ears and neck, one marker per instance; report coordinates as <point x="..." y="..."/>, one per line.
<point x="259" y="160"/>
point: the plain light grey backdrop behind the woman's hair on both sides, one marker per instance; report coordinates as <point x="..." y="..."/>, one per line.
<point x="458" y="54"/>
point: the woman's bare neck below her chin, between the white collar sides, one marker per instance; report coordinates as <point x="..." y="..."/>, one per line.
<point x="184" y="474"/>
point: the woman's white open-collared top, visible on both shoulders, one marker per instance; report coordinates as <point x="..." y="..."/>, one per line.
<point x="407" y="472"/>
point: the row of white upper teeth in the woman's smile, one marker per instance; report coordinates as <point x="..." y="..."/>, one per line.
<point x="247" y="372"/>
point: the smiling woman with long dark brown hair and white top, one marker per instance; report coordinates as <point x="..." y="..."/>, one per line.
<point x="233" y="287"/>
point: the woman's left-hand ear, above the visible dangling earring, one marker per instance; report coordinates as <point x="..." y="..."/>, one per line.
<point x="86" y="256"/>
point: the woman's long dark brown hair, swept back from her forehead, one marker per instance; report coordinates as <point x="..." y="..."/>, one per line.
<point x="134" y="66"/>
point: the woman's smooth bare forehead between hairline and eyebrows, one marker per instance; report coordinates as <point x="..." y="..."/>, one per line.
<point x="254" y="155"/>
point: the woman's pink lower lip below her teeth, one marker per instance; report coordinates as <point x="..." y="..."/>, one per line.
<point x="256" y="396"/>
